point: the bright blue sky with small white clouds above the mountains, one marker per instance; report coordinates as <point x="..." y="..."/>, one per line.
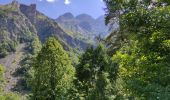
<point x="55" y="8"/>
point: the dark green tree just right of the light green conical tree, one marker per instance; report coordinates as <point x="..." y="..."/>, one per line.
<point x="93" y="73"/>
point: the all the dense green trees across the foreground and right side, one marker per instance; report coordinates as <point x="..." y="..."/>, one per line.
<point x="132" y="63"/>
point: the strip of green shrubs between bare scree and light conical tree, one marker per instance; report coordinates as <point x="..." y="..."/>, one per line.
<point x="25" y="72"/>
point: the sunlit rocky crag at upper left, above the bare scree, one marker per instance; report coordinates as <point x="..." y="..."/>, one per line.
<point x="15" y="28"/>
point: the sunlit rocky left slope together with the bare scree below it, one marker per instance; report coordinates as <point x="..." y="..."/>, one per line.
<point x="16" y="30"/>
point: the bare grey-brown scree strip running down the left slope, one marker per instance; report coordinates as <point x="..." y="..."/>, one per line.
<point x="11" y="62"/>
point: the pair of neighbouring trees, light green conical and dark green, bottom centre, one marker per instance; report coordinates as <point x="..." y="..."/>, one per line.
<point x="54" y="77"/>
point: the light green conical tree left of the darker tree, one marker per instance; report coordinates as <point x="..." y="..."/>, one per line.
<point x="53" y="72"/>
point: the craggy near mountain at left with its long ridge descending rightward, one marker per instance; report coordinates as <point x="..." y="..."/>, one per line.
<point x="22" y="23"/>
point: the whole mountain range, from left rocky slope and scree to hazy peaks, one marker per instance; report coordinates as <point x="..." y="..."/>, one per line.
<point x="21" y="28"/>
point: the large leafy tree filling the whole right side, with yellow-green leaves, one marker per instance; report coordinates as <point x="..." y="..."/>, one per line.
<point x="144" y="56"/>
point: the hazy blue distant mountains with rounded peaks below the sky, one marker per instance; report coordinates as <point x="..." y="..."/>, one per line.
<point x="83" y="24"/>
